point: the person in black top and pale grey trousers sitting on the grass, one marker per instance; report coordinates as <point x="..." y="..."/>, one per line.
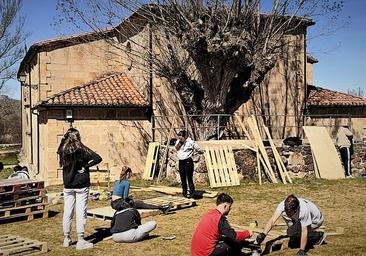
<point x="126" y="224"/>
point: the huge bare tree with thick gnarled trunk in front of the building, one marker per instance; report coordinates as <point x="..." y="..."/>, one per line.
<point x="214" y="53"/>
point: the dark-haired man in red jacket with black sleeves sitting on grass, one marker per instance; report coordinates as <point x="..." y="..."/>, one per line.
<point x="214" y="236"/>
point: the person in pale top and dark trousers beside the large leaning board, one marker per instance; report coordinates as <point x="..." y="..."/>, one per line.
<point x="344" y="143"/>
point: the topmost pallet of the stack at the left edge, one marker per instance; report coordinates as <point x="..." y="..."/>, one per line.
<point x="11" y="186"/>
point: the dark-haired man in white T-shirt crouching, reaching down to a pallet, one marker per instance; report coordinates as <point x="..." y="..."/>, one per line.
<point x="302" y="218"/>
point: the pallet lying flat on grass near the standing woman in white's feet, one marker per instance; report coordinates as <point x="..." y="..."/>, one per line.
<point x="178" y="202"/>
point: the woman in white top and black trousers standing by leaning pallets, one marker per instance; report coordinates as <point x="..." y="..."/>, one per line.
<point x="186" y="148"/>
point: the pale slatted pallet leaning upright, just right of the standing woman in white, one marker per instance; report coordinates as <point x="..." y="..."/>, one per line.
<point x="221" y="167"/>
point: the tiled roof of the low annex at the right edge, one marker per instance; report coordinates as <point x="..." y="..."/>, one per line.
<point x="323" y="97"/>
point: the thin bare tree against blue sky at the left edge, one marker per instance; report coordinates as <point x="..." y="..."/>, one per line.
<point x="12" y="38"/>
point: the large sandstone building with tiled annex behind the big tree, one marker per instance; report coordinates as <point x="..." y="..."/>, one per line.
<point x="103" y="92"/>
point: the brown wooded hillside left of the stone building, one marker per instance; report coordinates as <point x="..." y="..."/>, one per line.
<point x="10" y="120"/>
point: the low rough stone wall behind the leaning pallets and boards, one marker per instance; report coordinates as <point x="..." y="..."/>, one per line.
<point x="298" y="161"/>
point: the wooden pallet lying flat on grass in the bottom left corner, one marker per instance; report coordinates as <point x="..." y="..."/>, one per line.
<point x="15" y="245"/>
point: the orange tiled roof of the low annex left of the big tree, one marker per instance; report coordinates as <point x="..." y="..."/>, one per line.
<point x="112" y="90"/>
